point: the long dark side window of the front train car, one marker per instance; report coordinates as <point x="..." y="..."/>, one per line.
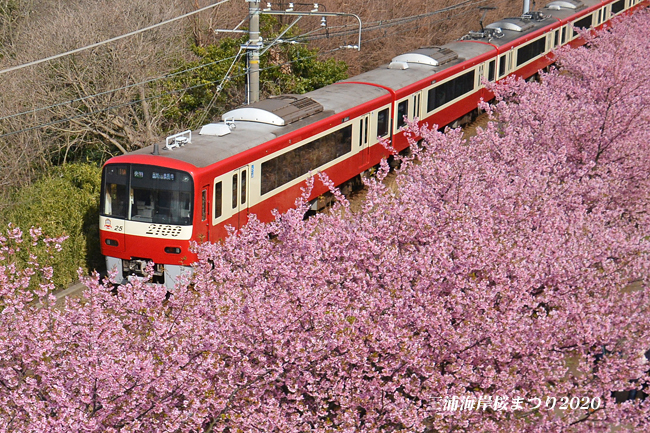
<point x="304" y="159"/>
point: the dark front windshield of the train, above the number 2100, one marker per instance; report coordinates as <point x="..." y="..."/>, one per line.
<point x="147" y="194"/>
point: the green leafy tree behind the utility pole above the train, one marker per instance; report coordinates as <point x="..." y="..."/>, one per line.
<point x="284" y="69"/>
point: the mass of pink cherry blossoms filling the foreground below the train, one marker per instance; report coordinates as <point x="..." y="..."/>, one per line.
<point x="500" y="277"/>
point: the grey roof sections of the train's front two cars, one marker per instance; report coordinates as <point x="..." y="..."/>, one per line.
<point x="269" y="119"/>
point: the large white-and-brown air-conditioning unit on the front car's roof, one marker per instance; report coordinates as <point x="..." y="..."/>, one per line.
<point x="278" y="110"/>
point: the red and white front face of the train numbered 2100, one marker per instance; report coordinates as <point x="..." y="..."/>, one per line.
<point x="146" y="215"/>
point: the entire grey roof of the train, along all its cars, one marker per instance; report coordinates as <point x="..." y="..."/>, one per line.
<point x="251" y="126"/>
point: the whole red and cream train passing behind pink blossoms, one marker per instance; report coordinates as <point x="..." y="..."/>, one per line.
<point x="157" y="200"/>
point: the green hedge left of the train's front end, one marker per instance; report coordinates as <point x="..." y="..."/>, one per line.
<point x="64" y="202"/>
